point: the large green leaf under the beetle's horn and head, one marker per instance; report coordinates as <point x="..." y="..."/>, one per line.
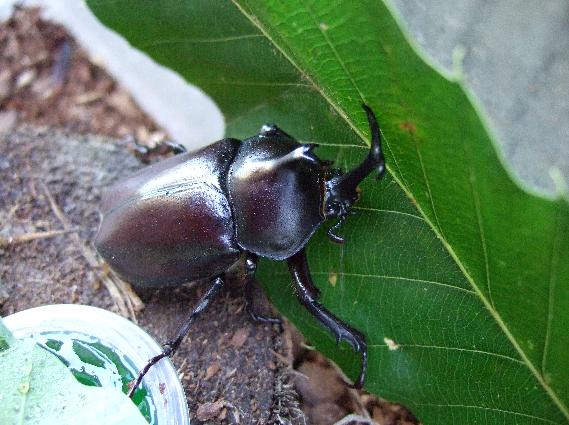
<point x="458" y="277"/>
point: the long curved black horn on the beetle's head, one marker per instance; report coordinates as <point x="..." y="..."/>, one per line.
<point x="374" y="161"/>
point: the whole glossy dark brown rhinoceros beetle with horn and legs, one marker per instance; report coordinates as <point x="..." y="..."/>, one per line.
<point x="193" y="215"/>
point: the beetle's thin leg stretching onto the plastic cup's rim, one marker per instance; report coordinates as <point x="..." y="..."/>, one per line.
<point x="170" y="346"/>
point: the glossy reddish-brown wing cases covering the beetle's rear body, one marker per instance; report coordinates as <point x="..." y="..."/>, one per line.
<point x="171" y="222"/>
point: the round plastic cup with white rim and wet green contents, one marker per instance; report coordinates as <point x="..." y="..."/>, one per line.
<point x="104" y="349"/>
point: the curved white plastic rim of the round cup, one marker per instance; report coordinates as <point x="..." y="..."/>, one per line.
<point x="119" y="333"/>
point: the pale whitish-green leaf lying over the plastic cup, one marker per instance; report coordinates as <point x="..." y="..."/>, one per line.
<point x="38" y="389"/>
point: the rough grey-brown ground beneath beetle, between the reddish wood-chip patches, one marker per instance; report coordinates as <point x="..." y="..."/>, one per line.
<point x="51" y="184"/>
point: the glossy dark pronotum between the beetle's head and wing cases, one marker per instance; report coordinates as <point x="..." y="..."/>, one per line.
<point x="276" y="190"/>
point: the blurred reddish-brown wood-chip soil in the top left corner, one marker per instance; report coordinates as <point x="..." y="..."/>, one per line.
<point x="48" y="80"/>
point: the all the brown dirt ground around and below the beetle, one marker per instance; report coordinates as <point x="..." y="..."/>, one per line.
<point x="50" y="184"/>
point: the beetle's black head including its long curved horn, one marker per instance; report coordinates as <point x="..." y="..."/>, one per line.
<point x="342" y="189"/>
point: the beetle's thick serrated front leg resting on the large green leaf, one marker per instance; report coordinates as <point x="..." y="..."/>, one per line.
<point x="298" y="267"/>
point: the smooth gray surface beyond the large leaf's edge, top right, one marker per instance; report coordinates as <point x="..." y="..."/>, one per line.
<point x="516" y="62"/>
